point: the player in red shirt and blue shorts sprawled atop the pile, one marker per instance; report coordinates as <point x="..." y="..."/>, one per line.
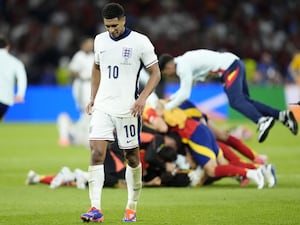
<point x="203" y="146"/>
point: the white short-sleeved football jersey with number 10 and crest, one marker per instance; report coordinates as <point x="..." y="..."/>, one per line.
<point x="120" y="62"/>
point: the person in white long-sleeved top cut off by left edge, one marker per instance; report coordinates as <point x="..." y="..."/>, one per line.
<point x="12" y="70"/>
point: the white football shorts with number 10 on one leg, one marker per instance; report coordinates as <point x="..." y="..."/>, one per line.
<point x="127" y="129"/>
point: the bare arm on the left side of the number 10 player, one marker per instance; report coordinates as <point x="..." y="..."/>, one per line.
<point x="95" y="82"/>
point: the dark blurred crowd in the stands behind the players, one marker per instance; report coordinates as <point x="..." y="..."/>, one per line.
<point x="266" y="34"/>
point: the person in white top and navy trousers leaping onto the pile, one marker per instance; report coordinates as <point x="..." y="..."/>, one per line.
<point x="201" y="65"/>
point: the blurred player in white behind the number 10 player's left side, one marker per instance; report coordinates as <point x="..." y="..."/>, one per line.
<point x="76" y="133"/>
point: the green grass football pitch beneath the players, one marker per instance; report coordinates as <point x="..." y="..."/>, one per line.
<point x="34" y="146"/>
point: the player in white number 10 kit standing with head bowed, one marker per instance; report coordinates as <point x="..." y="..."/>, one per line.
<point x="116" y="106"/>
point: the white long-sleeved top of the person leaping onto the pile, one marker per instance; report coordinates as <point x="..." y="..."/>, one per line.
<point x="198" y="65"/>
